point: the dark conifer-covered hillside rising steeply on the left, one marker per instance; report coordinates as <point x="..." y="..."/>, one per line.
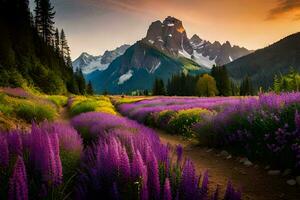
<point x="32" y="52"/>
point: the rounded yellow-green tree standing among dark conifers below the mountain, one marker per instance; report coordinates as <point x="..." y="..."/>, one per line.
<point x="206" y="86"/>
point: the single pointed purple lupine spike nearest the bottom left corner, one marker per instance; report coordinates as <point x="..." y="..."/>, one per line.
<point x="18" y="186"/>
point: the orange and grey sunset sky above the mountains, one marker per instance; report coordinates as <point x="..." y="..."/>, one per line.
<point x="94" y="26"/>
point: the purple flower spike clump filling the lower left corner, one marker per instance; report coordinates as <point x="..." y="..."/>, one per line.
<point x="32" y="163"/>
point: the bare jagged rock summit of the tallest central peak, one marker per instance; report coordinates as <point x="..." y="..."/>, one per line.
<point x="169" y="36"/>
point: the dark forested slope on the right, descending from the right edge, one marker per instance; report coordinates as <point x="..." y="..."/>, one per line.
<point x="263" y="64"/>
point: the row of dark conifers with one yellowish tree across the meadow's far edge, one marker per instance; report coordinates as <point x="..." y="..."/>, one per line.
<point x="213" y="84"/>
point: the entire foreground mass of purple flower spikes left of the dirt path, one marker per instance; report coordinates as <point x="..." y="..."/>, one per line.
<point x="99" y="155"/>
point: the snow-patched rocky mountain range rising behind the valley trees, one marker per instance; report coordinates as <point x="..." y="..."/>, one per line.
<point x="166" y="50"/>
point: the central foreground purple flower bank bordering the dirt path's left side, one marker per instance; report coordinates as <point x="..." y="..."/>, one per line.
<point x="128" y="161"/>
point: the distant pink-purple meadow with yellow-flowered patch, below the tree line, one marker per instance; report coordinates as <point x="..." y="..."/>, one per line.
<point x="176" y="115"/>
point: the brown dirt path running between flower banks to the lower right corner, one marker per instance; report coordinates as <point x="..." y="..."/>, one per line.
<point x="254" y="181"/>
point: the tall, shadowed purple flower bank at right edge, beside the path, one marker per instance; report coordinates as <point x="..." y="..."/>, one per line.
<point x="265" y="129"/>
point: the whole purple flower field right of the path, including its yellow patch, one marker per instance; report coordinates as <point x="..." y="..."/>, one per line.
<point x="264" y="128"/>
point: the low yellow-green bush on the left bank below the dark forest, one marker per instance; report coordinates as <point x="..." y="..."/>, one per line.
<point x="34" y="112"/>
